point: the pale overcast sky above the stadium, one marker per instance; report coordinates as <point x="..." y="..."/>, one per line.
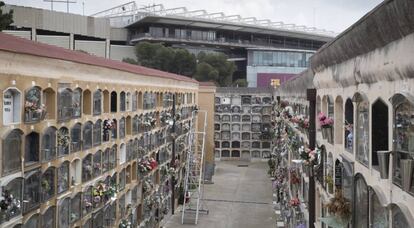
<point x="334" y="15"/>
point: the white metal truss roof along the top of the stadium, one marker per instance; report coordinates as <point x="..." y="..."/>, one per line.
<point x="127" y="15"/>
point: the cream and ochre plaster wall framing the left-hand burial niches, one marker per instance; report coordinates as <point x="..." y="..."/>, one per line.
<point x="21" y="72"/>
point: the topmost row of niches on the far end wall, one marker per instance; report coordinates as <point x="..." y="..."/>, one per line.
<point x="242" y="100"/>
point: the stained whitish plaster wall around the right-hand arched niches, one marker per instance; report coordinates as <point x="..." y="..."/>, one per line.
<point x="379" y="75"/>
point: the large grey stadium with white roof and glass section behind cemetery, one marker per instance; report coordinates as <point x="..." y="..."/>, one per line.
<point x="266" y="53"/>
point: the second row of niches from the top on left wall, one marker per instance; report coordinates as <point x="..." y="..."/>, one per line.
<point x="54" y="143"/>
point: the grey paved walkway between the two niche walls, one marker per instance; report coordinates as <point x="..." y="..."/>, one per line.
<point x="240" y="197"/>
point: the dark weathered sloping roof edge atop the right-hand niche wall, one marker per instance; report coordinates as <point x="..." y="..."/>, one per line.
<point x="390" y="21"/>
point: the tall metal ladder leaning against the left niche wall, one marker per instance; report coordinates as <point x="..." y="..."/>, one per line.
<point x="193" y="185"/>
